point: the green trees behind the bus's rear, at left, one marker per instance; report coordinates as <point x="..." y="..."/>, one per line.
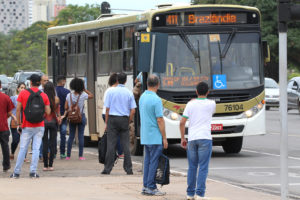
<point x="26" y="49"/>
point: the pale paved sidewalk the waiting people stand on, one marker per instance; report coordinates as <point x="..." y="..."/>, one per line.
<point x="81" y="180"/>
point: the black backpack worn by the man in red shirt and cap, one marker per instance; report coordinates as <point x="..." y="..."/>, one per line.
<point x="35" y="107"/>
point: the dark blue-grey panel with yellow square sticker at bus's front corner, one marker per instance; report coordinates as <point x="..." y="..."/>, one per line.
<point x="152" y="52"/>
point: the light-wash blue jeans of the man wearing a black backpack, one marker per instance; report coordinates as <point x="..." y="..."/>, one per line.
<point x="36" y="134"/>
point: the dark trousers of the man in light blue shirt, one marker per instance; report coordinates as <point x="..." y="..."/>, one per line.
<point x="117" y="126"/>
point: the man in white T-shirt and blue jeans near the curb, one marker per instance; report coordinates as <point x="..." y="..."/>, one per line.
<point x="199" y="112"/>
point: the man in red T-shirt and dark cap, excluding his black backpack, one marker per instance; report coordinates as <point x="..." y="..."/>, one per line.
<point x="30" y="131"/>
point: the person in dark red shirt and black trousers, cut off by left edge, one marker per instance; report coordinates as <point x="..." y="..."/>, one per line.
<point x="6" y="107"/>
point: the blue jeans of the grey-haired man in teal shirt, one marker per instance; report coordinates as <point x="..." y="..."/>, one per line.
<point x="152" y="154"/>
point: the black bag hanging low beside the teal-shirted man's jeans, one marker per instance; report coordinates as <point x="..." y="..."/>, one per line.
<point x="163" y="171"/>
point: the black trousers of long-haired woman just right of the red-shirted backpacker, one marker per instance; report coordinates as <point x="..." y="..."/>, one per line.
<point x="49" y="142"/>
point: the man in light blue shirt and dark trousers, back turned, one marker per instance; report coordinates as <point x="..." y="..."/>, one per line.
<point x="120" y="109"/>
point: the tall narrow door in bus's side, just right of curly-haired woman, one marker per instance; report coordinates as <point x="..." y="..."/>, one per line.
<point x="91" y="80"/>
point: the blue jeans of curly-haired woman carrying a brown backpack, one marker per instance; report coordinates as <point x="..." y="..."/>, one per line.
<point x="72" y="127"/>
